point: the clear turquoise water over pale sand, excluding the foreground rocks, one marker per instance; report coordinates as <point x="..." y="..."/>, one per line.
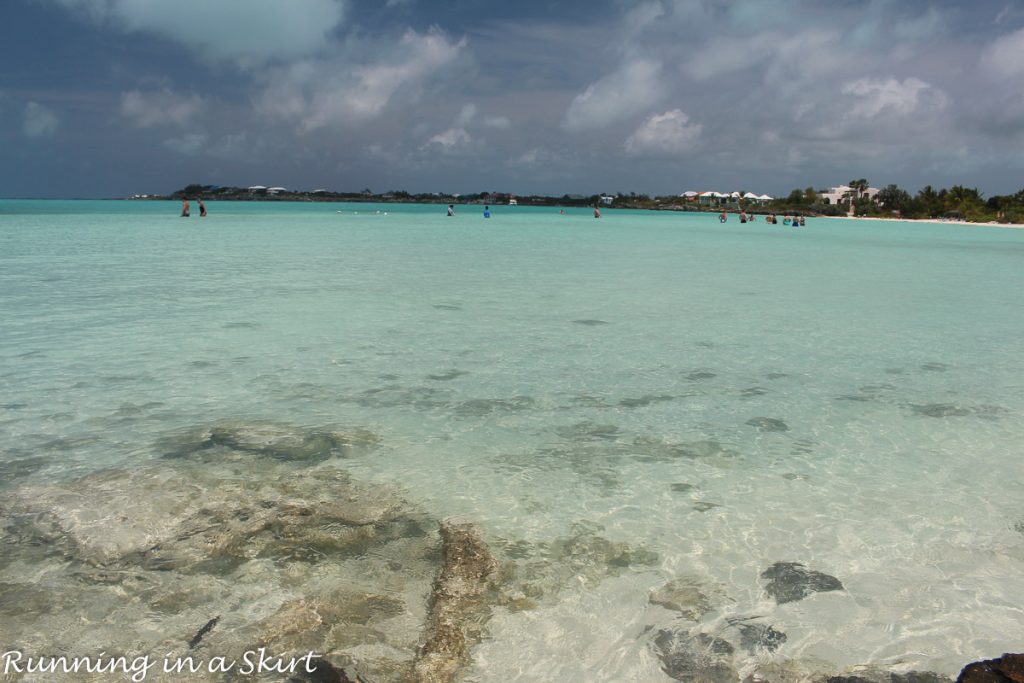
<point x="849" y="396"/>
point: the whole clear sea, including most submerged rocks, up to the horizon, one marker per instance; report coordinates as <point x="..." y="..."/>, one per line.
<point x="697" y="451"/>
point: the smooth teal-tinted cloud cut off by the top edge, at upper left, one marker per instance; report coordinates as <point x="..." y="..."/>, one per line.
<point x="245" y="31"/>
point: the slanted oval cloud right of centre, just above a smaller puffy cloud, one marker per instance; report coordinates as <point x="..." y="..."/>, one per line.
<point x="635" y="88"/>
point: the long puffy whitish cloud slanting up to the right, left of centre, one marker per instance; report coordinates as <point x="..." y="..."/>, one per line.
<point x="318" y="94"/>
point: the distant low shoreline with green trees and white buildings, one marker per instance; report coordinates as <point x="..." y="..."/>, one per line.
<point x="856" y="199"/>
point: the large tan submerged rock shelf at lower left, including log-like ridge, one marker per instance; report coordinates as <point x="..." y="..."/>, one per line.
<point x="199" y="561"/>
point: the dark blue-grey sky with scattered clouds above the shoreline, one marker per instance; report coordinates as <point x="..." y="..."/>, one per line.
<point x="115" y="98"/>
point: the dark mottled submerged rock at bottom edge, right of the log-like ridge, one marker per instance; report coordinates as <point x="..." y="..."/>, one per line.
<point x="700" y="659"/>
